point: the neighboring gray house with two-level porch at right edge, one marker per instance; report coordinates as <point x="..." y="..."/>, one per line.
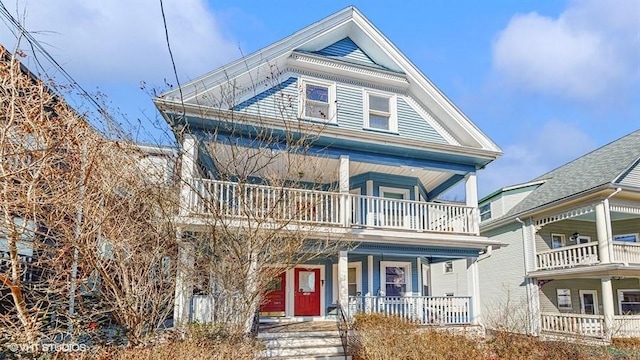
<point x="572" y="264"/>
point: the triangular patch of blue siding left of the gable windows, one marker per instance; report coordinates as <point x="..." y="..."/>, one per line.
<point x="280" y="101"/>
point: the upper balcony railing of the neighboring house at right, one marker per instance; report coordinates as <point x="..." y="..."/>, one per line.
<point x="586" y="254"/>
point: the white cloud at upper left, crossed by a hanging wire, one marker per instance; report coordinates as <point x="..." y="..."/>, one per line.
<point x="115" y="41"/>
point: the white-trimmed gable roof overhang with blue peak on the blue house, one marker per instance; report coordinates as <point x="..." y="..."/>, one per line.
<point x="346" y="37"/>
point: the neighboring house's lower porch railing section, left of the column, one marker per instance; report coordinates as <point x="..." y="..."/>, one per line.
<point x="576" y="324"/>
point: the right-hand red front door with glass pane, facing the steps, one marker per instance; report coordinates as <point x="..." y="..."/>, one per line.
<point x="307" y="292"/>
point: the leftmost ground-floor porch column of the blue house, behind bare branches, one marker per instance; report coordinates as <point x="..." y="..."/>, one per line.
<point x="184" y="282"/>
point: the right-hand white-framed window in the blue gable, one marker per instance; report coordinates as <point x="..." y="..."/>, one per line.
<point x="380" y="111"/>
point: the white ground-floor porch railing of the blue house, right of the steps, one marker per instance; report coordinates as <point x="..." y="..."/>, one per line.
<point x="424" y="310"/>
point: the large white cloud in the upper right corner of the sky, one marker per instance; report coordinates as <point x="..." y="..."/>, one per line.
<point x="592" y="48"/>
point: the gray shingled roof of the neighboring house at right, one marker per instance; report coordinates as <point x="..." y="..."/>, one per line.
<point x="603" y="166"/>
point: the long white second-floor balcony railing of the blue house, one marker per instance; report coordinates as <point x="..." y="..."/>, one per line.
<point x="261" y="202"/>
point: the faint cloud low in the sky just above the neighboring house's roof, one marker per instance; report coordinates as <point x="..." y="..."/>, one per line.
<point x="533" y="153"/>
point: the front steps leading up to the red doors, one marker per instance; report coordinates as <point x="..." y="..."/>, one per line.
<point x="301" y="344"/>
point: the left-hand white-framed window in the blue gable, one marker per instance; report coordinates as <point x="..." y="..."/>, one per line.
<point x="318" y="101"/>
